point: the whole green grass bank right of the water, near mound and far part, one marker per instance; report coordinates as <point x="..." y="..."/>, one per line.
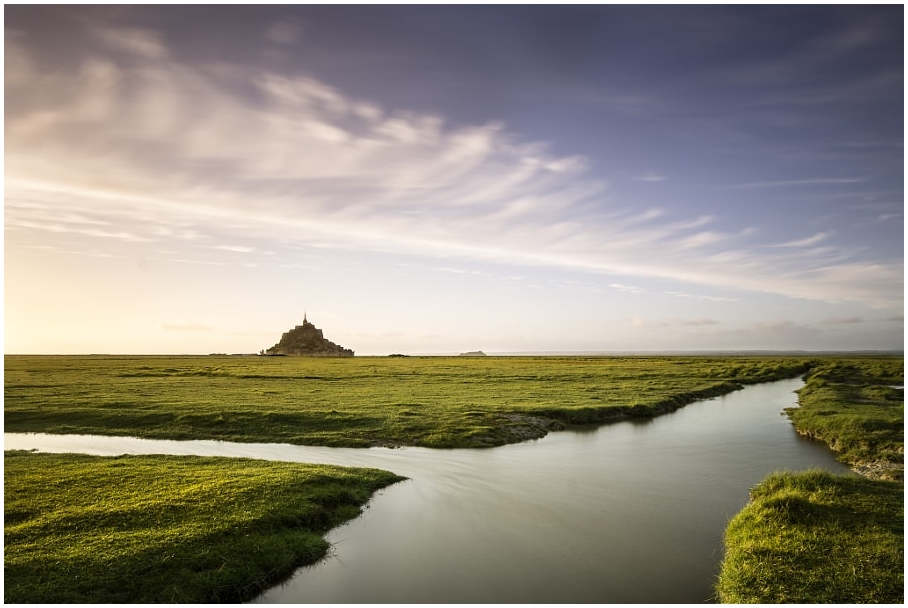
<point x="812" y="537"/>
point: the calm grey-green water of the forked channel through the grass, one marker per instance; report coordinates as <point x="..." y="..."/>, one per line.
<point x="626" y="512"/>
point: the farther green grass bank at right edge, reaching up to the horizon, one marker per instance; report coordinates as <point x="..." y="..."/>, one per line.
<point x="852" y="406"/>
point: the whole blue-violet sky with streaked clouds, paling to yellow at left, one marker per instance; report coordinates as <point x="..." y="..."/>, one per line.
<point x="439" y="179"/>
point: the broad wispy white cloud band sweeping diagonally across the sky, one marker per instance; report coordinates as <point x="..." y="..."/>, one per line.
<point x="151" y="149"/>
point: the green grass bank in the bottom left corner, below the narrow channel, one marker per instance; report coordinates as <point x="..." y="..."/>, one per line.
<point x="154" y="529"/>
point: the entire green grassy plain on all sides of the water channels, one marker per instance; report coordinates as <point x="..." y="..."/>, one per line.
<point x="71" y="521"/>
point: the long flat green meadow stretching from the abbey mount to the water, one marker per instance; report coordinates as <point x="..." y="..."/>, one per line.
<point x="363" y="401"/>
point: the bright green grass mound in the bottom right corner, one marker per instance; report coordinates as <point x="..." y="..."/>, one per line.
<point x="812" y="537"/>
